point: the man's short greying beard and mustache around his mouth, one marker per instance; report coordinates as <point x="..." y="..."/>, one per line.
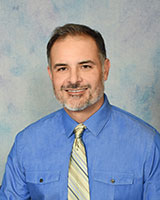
<point x="81" y="101"/>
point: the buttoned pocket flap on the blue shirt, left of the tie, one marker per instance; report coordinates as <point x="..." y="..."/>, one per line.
<point x="42" y="177"/>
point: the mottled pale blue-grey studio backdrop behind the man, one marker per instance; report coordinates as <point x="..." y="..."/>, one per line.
<point x="132" y="33"/>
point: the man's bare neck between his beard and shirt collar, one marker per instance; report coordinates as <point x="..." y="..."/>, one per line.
<point x="83" y="115"/>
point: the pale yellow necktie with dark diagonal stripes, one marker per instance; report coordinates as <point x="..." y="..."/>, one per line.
<point x="78" y="184"/>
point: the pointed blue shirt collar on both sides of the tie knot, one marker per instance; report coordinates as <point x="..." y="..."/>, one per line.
<point x="95" y="123"/>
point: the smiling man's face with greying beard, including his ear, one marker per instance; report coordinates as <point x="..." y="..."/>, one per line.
<point x="76" y="72"/>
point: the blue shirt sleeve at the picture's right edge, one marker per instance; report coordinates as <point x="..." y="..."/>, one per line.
<point x="152" y="172"/>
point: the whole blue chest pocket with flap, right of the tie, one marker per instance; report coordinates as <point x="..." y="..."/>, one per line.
<point x="112" y="185"/>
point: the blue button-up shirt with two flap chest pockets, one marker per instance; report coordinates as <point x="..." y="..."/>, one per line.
<point x="123" y="155"/>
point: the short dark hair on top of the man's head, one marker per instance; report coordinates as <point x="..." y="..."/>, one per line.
<point x="76" y="29"/>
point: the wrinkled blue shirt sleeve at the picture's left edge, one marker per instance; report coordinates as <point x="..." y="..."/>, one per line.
<point x="13" y="184"/>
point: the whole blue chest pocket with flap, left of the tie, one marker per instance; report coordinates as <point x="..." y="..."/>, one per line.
<point x="43" y="184"/>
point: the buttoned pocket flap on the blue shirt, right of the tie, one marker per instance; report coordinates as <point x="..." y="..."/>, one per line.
<point x="113" y="178"/>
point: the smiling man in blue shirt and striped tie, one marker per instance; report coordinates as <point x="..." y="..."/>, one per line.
<point x="121" y="153"/>
